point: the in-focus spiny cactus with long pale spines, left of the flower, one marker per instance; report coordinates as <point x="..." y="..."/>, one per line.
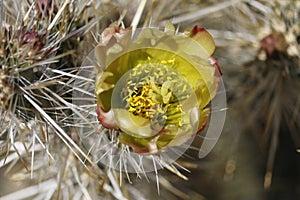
<point x="34" y="105"/>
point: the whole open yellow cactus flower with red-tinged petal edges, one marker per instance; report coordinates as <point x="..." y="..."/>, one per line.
<point x="153" y="86"/>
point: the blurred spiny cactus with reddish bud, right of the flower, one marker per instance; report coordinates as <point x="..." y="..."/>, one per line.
<point x="265" y="95"/>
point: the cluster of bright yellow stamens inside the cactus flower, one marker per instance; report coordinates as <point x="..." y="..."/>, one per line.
<point x="152" y="92"/>
